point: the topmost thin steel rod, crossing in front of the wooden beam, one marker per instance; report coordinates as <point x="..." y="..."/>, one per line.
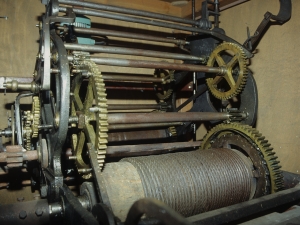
<point x="128" y="11"/>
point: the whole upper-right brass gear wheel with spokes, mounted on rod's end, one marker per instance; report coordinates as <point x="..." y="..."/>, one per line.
<point x="232" y="59"/>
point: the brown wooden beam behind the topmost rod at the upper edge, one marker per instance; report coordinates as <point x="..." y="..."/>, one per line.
<point x="151" y="6"/>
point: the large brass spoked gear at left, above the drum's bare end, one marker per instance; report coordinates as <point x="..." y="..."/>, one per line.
<point x="87" y="93"/>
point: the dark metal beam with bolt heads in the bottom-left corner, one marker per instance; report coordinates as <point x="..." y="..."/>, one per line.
<point x="30" y="212"/>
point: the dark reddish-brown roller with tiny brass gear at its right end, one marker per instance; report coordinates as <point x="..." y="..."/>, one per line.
<point x="137" y="135"/>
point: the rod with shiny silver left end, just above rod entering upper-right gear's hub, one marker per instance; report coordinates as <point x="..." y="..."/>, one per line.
<point x="130" y="51"/>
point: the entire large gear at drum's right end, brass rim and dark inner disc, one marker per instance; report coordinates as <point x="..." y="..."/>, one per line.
<point x="251" y="142"/>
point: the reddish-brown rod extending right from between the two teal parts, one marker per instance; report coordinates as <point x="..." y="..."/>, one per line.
<point x="122" y="34"/>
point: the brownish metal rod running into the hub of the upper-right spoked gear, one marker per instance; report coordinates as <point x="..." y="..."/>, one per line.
<point x="155" y="65"/>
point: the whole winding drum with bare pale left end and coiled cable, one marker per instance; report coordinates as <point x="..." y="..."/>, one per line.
<point x="189" y="182"/>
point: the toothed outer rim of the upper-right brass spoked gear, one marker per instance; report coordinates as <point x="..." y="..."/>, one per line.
<point x="242" y="78"/>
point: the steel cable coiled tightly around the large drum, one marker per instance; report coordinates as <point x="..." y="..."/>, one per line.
<point x="195" y="182"/>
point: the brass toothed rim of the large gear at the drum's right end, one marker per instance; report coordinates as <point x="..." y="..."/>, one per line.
<point x="257" y="140"/>
